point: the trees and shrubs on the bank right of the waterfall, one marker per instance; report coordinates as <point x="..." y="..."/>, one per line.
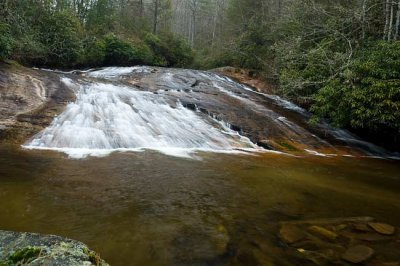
<point x="340" y="59"/>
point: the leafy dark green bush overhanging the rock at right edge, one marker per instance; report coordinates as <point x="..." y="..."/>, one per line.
<point x="366" y="94"/>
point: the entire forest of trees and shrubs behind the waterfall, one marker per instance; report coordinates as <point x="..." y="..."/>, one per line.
<point x="339" y="59"/>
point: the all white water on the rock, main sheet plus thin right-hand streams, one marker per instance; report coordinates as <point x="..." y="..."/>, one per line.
<point x="107" y="118"/>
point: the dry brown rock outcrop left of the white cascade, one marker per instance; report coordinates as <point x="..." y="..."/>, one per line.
<point x="29" y="100"/>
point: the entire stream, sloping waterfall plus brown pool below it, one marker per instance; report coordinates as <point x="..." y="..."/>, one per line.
<point x="152" y="166"/>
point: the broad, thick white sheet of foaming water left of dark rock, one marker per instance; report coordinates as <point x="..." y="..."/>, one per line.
<point x="106" y="118"/>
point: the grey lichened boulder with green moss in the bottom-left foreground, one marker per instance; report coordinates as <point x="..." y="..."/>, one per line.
<point x="36" y="249"/>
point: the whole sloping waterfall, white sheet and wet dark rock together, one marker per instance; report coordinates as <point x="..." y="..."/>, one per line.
<point x="178" y="112"/>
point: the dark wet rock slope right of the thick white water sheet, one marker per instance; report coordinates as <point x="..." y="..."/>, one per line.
<point x="265" y="119"/>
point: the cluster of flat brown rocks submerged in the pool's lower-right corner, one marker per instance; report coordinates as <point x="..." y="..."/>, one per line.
<point x="340" y="241"/>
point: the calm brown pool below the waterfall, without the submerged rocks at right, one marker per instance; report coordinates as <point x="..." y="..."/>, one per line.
<point x="151" y="209"/>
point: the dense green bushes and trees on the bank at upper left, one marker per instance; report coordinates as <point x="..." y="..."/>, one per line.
<point x="71" y="33"/>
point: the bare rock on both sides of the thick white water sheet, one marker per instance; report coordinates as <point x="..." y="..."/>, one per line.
<point x="29" y="100"/>
